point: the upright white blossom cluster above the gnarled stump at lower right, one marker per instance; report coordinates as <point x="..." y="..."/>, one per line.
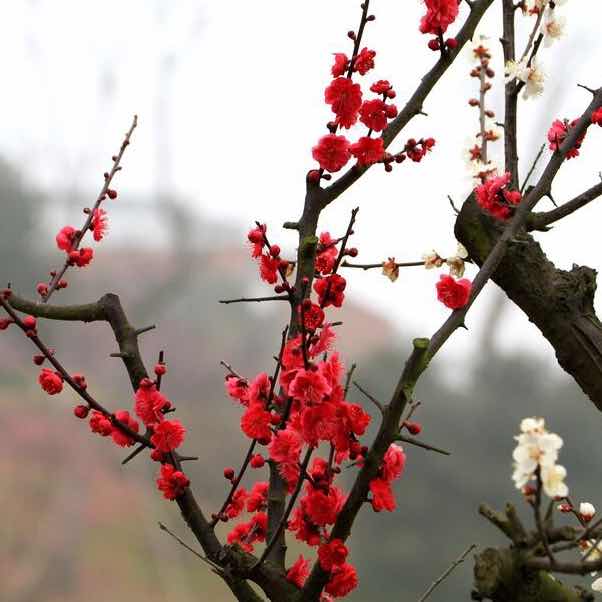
<point x="537" y="449"/>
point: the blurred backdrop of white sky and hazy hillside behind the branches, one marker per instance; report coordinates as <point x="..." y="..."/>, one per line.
<point x="229" y="98"/>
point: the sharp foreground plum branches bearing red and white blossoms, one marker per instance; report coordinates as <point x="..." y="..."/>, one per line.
<point x="301" y="427"/>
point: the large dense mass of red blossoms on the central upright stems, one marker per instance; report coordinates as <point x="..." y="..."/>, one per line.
<point x="291" y="417"/>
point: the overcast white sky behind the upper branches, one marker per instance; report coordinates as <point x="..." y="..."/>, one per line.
<point x="230" y="124"/>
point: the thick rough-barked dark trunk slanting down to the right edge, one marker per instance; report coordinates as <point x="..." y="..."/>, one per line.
<point x="558" y="302"/>
